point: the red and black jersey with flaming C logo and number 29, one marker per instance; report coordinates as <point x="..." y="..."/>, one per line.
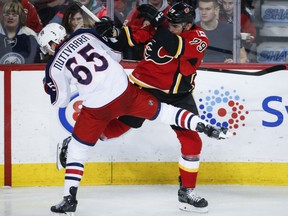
<point x="172" y="74"/>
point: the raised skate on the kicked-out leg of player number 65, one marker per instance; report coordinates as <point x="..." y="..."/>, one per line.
<point x="214" y="132"/>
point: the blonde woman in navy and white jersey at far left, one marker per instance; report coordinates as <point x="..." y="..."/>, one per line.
<point x="18" y="43"/>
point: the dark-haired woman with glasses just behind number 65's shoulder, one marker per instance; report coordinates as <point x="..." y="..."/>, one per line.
<point x="75" y="18"/>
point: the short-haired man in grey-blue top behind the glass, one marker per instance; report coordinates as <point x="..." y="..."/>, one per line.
<point x="220" y="34"/>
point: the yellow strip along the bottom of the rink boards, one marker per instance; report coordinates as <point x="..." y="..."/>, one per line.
<point x="242" y="173"/>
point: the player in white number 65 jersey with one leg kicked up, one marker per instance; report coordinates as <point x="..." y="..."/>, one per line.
<point x="91" y="62"/>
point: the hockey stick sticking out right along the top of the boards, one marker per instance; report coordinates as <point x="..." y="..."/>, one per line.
<point x="236" y="72"/>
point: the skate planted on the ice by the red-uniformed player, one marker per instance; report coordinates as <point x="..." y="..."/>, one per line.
<point x="191" y="202"/>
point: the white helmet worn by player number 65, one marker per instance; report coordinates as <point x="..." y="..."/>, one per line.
<point x="51" y="32"/>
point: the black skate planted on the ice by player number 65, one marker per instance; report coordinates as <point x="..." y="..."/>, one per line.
<point x="68" y="204"/>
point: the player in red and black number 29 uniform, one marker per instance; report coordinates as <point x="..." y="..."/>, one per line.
<point x="168" y="71"/>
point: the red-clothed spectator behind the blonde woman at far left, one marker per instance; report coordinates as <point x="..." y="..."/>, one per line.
<point x="33" y="20"/>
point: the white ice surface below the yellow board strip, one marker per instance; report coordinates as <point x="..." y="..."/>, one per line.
<point x="147" y="200"/>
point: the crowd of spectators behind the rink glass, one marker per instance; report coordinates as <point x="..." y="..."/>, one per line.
<point x="22" y="20"/>
